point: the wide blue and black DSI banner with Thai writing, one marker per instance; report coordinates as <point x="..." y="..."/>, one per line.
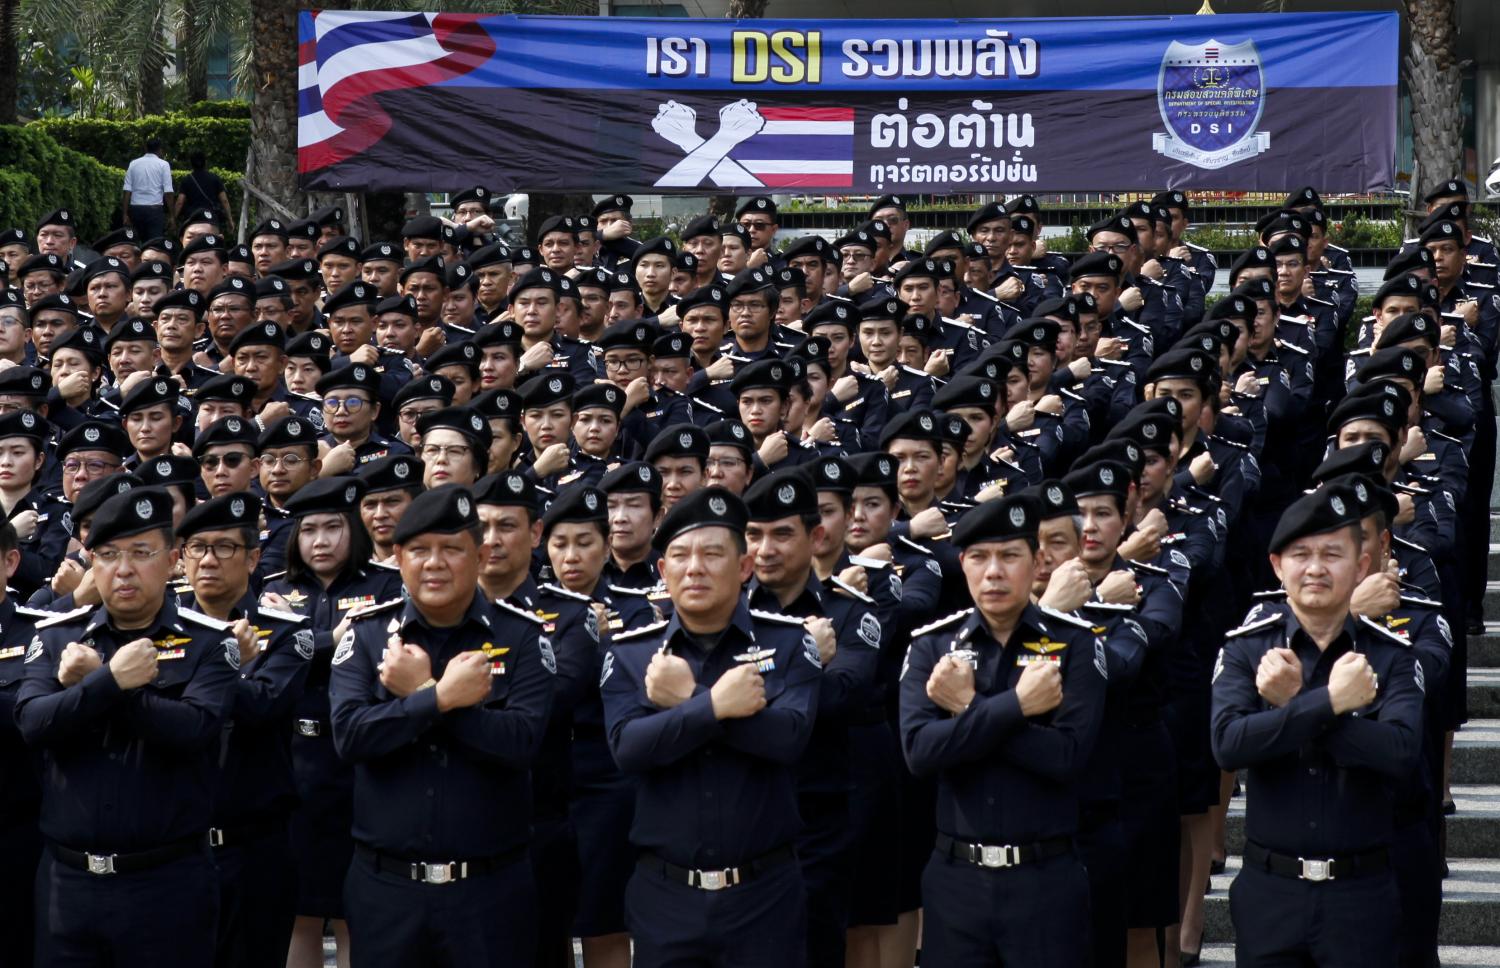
<point x="448" y="101"/>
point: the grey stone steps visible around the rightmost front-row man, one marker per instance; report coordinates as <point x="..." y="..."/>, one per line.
<point x="1469" y="933"/>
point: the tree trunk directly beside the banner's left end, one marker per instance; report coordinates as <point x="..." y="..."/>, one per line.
<point x="274" y="109"/>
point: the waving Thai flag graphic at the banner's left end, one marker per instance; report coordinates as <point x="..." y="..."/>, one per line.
<point x="349" y="58"/>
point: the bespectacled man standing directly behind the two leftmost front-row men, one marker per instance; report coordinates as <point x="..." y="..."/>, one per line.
<point x="256" y="787"/>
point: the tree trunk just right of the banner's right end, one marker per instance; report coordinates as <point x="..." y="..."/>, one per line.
<point x="1433" y="77"/>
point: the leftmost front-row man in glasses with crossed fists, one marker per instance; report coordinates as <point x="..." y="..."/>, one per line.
<point x="125" y="705"/>
